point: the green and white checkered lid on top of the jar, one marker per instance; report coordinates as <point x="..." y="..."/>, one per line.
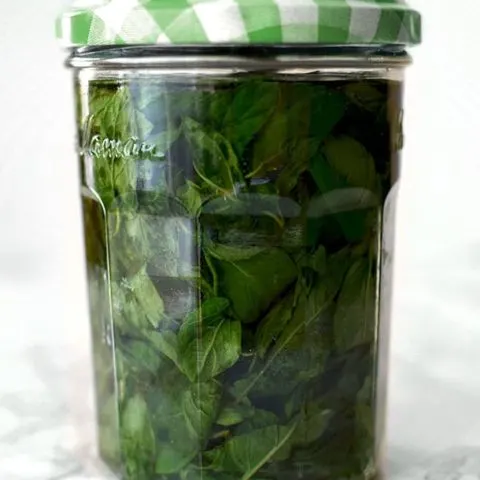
<point x="200" y="22"/>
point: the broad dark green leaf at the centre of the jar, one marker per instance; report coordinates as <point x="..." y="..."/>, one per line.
<point x="253" y="284"/>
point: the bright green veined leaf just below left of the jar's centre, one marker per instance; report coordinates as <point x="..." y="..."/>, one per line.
<point x="209" y="350"/>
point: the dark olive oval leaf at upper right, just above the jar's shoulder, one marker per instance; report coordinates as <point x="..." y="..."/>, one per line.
<point x="351" y="160"/>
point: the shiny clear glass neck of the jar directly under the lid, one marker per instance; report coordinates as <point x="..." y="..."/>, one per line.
<point x="252" y="58"/>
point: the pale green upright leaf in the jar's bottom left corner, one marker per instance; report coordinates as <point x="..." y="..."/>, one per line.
<point x="137" y="439"/>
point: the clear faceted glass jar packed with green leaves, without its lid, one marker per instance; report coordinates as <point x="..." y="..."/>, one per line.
<point x="233" y="201"/>
